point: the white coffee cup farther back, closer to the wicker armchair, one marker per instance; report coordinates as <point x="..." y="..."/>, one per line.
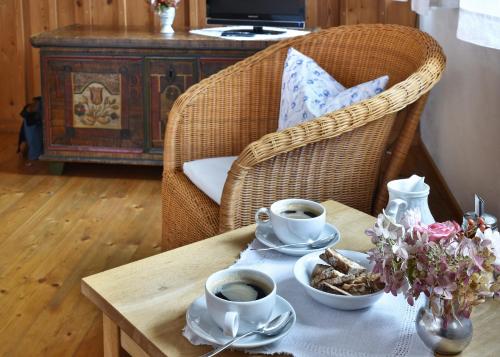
<point x="292" y="230"/>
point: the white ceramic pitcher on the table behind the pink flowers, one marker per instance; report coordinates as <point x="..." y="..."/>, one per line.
<point x="409" y="193"/>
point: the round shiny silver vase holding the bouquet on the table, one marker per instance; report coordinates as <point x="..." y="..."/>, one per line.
<point x="445" y="339"/>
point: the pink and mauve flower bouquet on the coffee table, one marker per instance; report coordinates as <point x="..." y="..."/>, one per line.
<point x="455" y="272"/>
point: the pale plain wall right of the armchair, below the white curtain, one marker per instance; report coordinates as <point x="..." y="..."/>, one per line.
<point x="461" y="123"/>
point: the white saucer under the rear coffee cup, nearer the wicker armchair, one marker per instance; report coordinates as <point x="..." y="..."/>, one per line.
<point x="265" y="234"/>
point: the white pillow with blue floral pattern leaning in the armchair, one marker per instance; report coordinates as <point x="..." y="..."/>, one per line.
<point x="308" y="91"/>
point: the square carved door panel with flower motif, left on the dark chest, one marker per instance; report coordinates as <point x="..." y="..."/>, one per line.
<point x="94" y="104"/>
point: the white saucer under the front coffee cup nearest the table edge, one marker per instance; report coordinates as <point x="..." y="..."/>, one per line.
<point x="203" y="326"/>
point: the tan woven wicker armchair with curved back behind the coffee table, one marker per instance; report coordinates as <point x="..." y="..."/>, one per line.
<point x="347" y="155"/>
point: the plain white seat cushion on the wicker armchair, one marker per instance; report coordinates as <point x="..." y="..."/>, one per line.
<point x="209" y="175"/>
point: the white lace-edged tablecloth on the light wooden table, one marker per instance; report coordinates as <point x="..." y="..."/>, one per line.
<point x="385" y="329"/>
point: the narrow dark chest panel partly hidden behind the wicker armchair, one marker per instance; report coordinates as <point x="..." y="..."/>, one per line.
<point x="168" y="78"/>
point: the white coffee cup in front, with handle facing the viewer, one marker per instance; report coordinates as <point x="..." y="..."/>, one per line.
<point x="239" y="317"/>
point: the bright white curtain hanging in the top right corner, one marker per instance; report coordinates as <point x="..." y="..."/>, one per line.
<point x="479" y="20"/>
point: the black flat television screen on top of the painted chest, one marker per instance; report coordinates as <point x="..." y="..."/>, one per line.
<point x="286" y="13"/>
